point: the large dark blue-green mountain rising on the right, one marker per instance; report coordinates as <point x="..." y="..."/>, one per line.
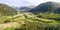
<point x="47" y="7"/>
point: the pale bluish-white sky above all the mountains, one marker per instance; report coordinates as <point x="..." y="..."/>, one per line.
<point x="19" y="3"/>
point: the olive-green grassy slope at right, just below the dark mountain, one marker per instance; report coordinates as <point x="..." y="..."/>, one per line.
<point x="51" y="16"/>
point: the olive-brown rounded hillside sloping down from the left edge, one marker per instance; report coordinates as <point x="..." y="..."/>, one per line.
<point x="6" y="10"/>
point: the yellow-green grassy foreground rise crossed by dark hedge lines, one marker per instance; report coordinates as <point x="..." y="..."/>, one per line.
<point x="29" y="21"/>
